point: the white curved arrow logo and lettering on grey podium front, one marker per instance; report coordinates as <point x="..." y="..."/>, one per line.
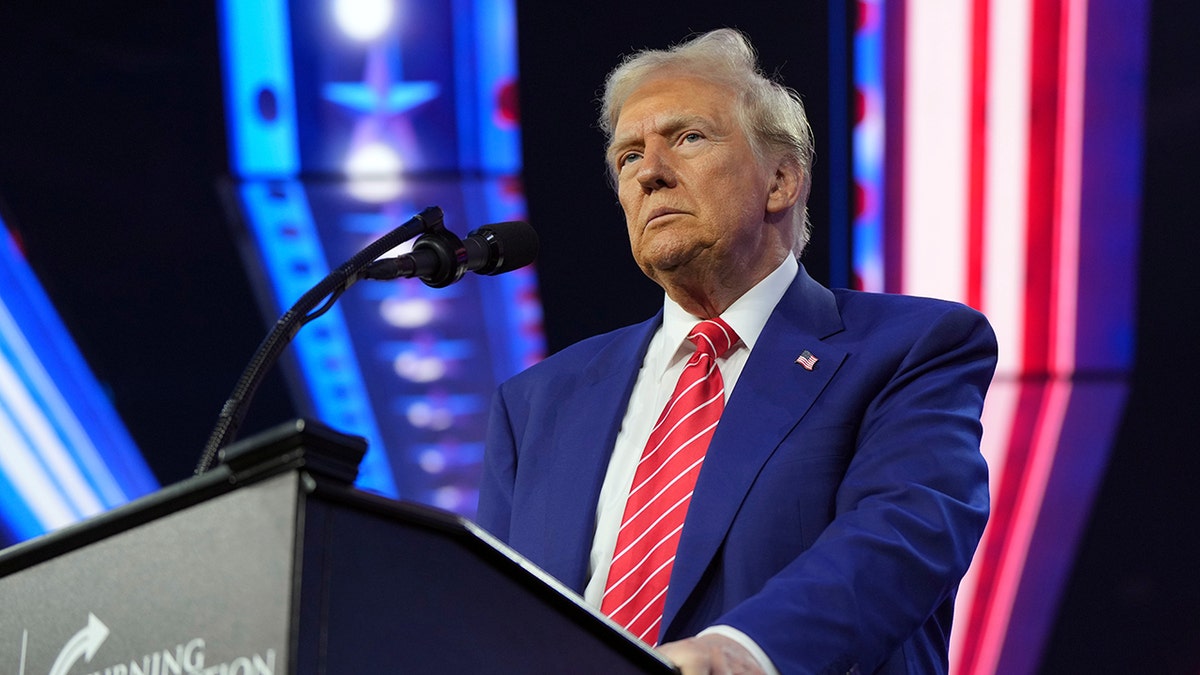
<point x="188" y="659"/>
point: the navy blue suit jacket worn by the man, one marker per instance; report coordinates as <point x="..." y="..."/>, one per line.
<point x="837" y="509"/>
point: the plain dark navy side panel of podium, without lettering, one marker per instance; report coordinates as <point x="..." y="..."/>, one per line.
<point x="407" y="595"/>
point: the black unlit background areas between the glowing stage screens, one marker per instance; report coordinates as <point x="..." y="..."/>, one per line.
<point x="112" y="148"/>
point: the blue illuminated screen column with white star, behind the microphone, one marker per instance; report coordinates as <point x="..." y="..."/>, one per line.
<point x="345" y="121"/>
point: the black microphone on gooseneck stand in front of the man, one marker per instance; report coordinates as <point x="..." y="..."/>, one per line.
<point x="440" y="259"/>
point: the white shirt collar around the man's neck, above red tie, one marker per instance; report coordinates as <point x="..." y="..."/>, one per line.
<point x="748" y="315"/>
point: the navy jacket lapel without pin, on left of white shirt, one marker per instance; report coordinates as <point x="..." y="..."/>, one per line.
<point x="591" y="416"/>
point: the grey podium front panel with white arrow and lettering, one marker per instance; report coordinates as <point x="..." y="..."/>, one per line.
<point x="208" y="587"/>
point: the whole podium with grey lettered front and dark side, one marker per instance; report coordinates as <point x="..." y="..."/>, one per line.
<point x="274" y="564"/>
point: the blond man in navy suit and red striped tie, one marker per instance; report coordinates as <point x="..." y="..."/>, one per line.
<point x="842" y="495"/>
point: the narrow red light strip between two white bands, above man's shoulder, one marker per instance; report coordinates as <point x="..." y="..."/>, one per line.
<point x="979" y="150"/>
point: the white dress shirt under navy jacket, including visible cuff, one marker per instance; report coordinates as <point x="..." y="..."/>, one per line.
<point x="665" y="360"/>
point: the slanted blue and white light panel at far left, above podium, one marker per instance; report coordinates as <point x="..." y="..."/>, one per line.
<point x="65" y="453"/>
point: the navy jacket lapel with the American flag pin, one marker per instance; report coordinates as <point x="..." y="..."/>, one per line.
<point x="772" y="395"/>
